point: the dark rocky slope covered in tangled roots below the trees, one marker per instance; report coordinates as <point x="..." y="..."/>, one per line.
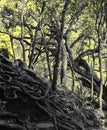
<point x="28" y="103"/>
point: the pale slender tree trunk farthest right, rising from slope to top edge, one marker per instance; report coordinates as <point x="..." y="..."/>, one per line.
<point x="99" y="21"/>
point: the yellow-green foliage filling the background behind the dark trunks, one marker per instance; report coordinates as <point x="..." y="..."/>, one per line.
<point x="32" y="30"/>
